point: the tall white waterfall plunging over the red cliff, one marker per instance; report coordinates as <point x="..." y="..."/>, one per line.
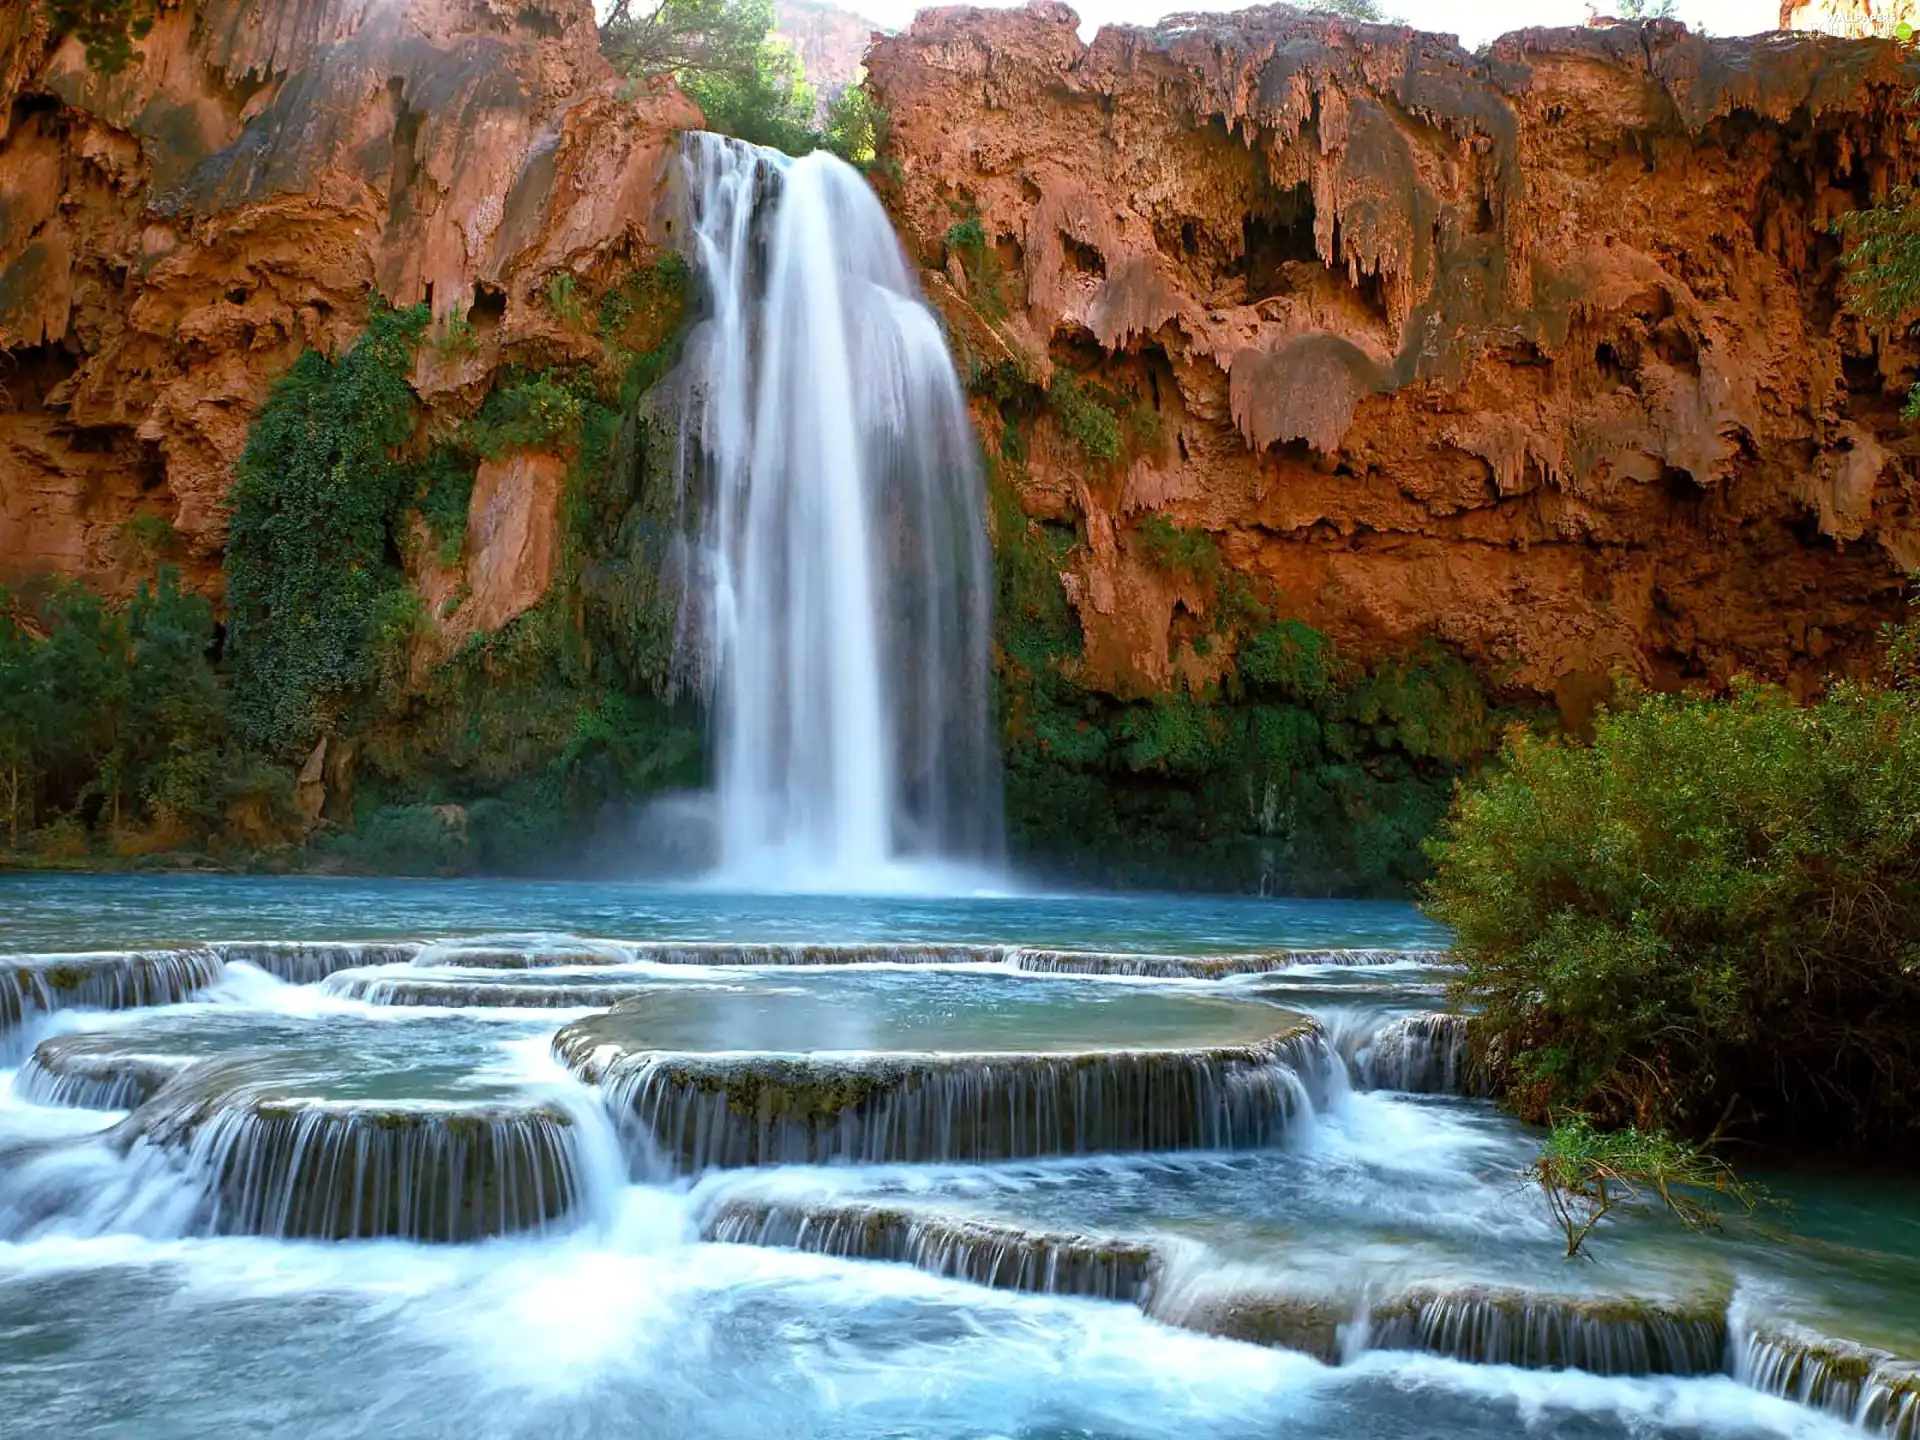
<point x="838" y="573"/>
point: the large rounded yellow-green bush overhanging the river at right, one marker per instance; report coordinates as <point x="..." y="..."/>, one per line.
<point x="1716" y="905"/>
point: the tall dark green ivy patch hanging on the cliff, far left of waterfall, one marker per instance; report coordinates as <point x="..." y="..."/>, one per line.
<point x="312" y="550"/>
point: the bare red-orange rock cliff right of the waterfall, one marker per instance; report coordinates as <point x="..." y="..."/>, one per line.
<point x="1539" y="350"/>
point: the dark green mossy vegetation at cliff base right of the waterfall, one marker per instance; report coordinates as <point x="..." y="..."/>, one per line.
<point x="1303" y="773"/>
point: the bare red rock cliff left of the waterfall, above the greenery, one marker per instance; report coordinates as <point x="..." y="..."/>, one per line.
<point x="174" y="237"/>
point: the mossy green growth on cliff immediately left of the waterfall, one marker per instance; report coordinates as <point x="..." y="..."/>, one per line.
<point x="539" y="729"/>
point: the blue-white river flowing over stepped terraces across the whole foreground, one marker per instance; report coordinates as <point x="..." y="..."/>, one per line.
<point x="337" y="1159"/>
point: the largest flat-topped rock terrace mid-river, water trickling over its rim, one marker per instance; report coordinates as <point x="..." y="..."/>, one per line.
<point x="723" y="1076"/>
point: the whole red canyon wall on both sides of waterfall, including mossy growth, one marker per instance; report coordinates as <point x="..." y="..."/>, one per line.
<point x="1345" y="395"/>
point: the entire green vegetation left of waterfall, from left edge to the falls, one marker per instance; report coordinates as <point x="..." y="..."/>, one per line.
<point x="147" y="729"/>
